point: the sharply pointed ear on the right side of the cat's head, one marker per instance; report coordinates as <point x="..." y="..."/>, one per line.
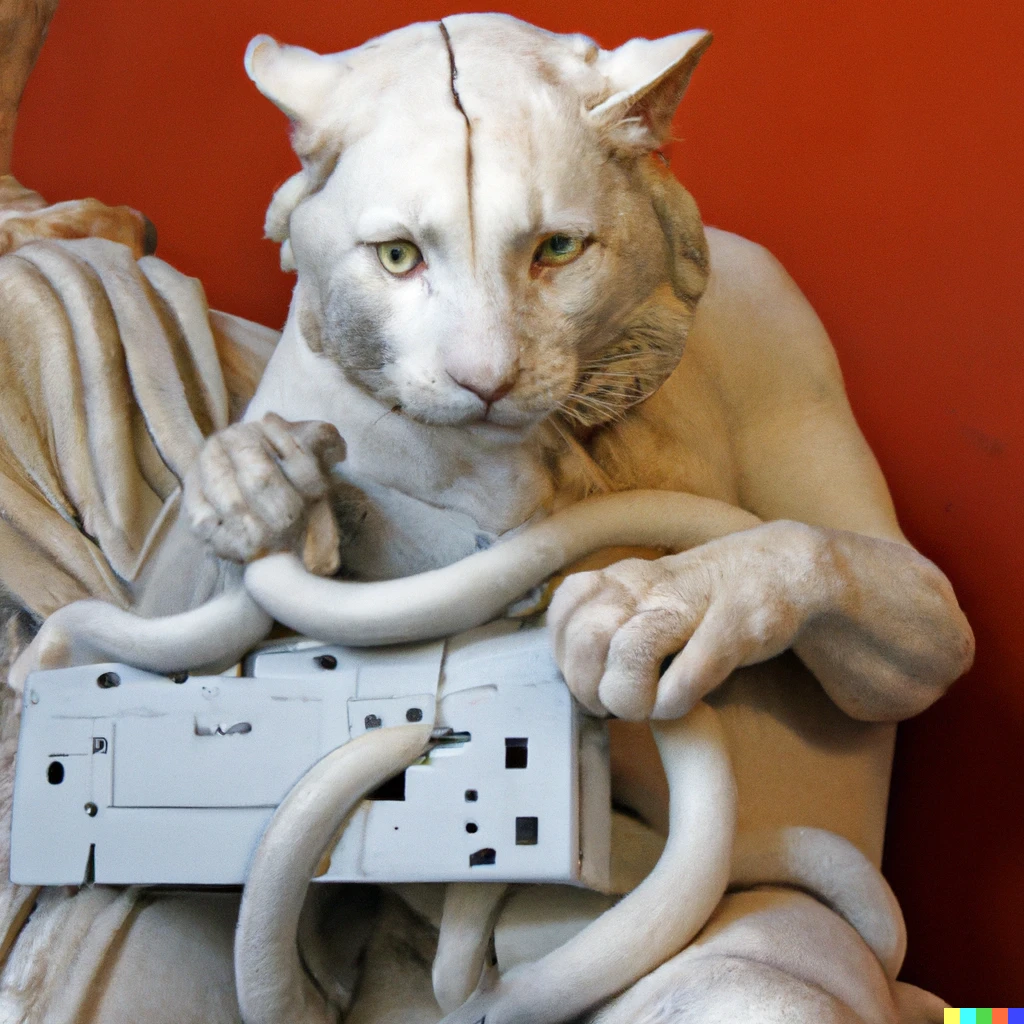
<point x="649" y="78"/>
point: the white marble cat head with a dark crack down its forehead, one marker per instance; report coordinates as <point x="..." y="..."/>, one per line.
<point x="483" y="230"/>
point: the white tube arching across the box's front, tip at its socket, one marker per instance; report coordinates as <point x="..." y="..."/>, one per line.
<point x="272" y="986"/>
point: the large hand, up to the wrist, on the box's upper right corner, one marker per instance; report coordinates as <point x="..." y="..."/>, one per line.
<point x="733" y="603"/>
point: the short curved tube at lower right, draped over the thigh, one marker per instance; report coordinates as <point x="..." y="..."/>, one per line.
<point x="833" y="870"/>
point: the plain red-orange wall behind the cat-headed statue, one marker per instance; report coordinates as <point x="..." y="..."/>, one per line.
<point x="877" y="147"/>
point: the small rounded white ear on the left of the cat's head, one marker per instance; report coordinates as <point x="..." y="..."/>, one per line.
<point x="294" y="79"/>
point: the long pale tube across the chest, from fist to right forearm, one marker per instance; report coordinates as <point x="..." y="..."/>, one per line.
<point x="479" y="588"/>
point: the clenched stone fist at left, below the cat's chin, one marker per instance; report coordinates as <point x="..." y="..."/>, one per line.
<point x="255" y="486"/>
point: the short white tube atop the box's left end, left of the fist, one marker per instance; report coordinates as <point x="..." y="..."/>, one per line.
<point x="214" y="636"/>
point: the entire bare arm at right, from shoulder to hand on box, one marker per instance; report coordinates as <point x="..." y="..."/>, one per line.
<point x="831" y="575"/>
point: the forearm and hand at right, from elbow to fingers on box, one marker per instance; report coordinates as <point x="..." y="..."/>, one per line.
<point x="877" y="623"/>
